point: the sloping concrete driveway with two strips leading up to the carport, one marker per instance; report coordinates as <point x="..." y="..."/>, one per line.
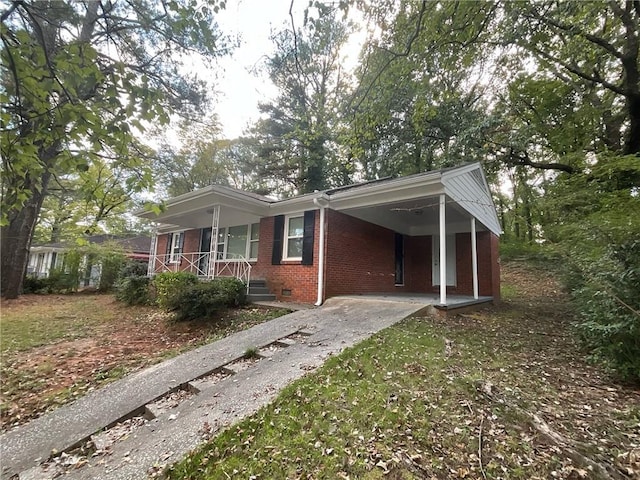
<point x="212" y="386"/>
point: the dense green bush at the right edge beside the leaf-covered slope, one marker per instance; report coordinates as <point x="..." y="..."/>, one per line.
<point x="598" y="235"/>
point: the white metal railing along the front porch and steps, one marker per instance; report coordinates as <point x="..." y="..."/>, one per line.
<point x="198" y="264"/>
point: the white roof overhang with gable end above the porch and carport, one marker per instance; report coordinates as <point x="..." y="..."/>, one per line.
<point x="408" y="205"/>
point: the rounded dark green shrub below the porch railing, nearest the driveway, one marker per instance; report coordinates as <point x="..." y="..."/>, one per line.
<point x="207" y="299"/>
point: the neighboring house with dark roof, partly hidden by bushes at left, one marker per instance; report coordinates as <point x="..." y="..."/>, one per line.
<point x="44" y="258"/>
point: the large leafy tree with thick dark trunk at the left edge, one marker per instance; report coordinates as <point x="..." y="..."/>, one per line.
<point x="78" y="80"/>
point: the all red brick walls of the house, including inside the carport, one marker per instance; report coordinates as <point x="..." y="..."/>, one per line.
<point x="360" y="258"/>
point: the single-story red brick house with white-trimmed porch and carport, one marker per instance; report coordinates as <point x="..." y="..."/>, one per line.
<point x="396" y="235"/>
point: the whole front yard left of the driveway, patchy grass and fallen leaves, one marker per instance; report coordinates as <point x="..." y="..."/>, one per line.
<point x="56" y="348"/>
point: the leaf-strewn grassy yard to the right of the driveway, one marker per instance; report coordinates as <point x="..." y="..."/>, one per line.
<point x="504" y="392"/>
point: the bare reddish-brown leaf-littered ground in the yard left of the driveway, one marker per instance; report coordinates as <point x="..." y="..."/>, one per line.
<point x="42" y="378"/>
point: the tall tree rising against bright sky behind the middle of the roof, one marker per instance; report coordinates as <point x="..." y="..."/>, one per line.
<point x="296" y="139"/>
